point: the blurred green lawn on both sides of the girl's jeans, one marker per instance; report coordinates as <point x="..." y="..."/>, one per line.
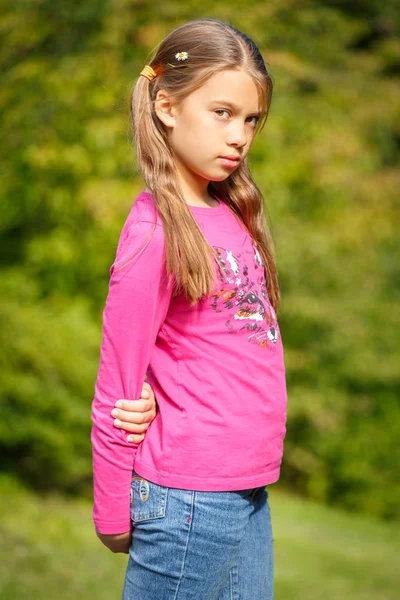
<point x="48" y="549"/>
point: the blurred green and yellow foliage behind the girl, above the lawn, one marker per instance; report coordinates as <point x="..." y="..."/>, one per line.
<point x="327" y="164"/>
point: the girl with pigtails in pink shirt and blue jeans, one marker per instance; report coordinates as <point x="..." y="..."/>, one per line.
<point x="192" y="304"/>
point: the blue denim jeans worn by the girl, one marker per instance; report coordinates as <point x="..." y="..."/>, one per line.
<point x="193" y="545"/>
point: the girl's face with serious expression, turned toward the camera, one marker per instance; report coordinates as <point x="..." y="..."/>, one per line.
<point x="217" y="120"/>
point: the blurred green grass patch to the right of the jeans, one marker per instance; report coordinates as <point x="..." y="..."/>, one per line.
<point x="327" y="554"/>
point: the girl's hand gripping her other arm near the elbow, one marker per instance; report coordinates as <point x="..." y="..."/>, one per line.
<point x="135" y="416"/>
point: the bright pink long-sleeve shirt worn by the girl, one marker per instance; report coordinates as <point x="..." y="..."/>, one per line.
<point x="217" y="369"/>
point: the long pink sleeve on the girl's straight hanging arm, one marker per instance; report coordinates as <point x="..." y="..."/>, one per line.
<point x="136" y="306"/>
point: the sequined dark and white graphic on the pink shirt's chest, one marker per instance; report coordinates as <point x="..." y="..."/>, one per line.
<point x="242" y="292"/>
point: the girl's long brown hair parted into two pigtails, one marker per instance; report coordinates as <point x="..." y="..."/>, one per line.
<point x="219" y="46"/>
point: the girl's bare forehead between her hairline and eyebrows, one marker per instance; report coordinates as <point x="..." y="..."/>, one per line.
<point x="234" y="86"/>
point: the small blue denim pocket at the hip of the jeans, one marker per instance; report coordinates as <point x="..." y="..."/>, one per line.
<point x="148" y="499"/>
